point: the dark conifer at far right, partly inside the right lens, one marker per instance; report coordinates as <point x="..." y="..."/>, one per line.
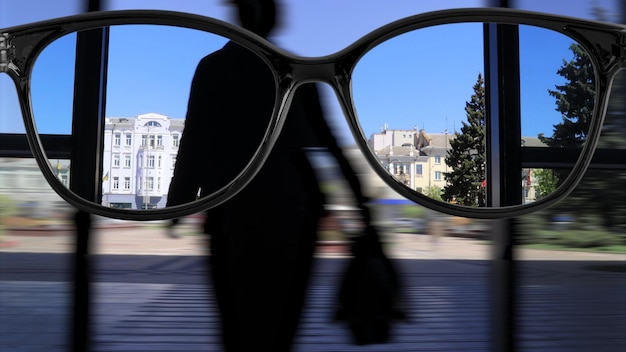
<point x="595" y="194"/>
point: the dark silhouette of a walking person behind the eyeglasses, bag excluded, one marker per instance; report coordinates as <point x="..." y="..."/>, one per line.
<point x="262" y="241"/>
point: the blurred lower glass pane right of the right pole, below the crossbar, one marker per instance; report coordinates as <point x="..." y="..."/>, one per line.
<point x="572" y="267"/>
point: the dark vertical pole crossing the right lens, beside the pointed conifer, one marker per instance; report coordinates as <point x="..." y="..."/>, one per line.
<point x="503" y="142"/>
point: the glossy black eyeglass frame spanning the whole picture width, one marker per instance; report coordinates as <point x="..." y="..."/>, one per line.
<point x="19" y="46"/>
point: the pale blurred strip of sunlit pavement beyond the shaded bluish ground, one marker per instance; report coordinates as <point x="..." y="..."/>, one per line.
<point x="139" y="238"/>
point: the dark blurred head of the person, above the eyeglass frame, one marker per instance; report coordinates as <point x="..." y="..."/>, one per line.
<point x="258" y="16"/>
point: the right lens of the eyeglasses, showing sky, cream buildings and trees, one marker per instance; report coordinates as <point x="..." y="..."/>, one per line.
<point x="420" y="96"/>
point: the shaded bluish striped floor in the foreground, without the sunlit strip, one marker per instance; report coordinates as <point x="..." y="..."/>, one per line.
<point x="160" y="305"/>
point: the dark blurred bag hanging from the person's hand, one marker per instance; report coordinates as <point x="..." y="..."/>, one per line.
<point x="369" y="291"/>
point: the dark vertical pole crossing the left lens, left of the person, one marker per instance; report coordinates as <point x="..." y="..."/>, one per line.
<point x="86" y="171"/>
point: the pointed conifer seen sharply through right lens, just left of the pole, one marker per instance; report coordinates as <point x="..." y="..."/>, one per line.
<point x="466" y="158"/>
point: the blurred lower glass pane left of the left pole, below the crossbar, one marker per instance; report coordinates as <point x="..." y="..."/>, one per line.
<point x="36" y="244"/>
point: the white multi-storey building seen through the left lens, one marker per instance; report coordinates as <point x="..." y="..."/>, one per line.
<point x="138" y="160"/>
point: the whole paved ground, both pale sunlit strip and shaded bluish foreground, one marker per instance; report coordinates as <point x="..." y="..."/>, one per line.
<point x="150" y="295"/>
